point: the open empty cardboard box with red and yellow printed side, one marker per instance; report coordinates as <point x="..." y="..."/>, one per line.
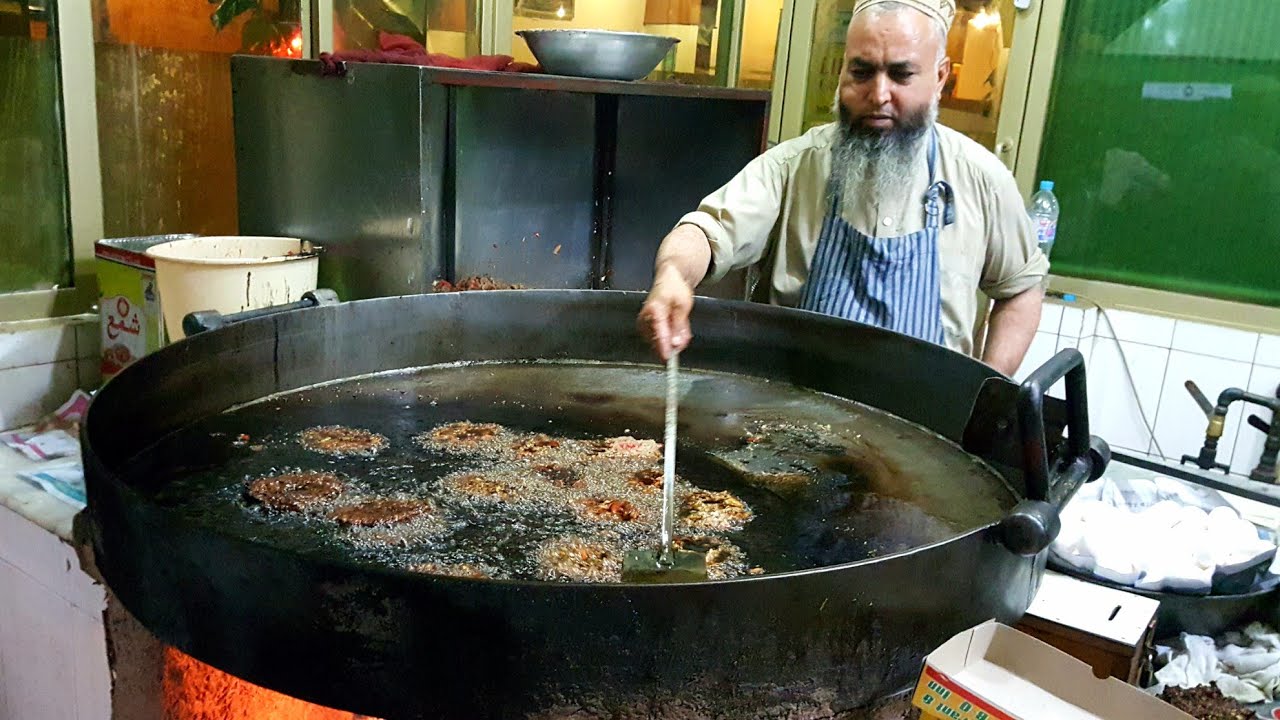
<point x="996" y="673"/>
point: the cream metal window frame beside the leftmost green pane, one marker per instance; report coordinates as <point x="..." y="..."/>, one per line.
<point x="75" y="28"/>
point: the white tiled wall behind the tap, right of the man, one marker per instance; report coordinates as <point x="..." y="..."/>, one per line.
<point x="1163" y="354"/>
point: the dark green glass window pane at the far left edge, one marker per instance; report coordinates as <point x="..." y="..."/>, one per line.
<point x="35" y="239"/>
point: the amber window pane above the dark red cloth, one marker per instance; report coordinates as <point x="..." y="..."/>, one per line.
<point x="441" y="26"/>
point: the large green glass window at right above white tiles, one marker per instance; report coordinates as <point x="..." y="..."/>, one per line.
<point x="1164" y="143"/>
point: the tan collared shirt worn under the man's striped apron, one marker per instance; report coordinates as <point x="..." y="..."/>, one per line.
<point x="774" y="209"/>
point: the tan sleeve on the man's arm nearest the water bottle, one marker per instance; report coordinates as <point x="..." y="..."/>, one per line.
<point x="1014" y="262"/>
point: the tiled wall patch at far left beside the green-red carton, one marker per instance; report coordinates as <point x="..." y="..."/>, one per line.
<point x="43" y="363"/>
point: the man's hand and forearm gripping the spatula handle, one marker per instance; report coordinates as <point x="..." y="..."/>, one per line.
<point x="683" y="261"/>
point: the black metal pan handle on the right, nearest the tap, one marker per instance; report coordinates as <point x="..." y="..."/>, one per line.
<point x="1035" y="522"/>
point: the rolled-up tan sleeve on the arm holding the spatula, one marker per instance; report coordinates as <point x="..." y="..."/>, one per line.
<point x="739" y="218"/>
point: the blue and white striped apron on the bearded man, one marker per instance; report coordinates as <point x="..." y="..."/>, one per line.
<point x="889" y="282"/>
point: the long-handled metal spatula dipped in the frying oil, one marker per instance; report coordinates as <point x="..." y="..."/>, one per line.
<point x="666" y="564"/>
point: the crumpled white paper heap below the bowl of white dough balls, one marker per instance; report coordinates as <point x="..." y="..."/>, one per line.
<point x="1247" y="667"/>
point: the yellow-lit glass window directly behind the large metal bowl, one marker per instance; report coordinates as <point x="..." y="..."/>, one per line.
<point x="700" y="58"/>
